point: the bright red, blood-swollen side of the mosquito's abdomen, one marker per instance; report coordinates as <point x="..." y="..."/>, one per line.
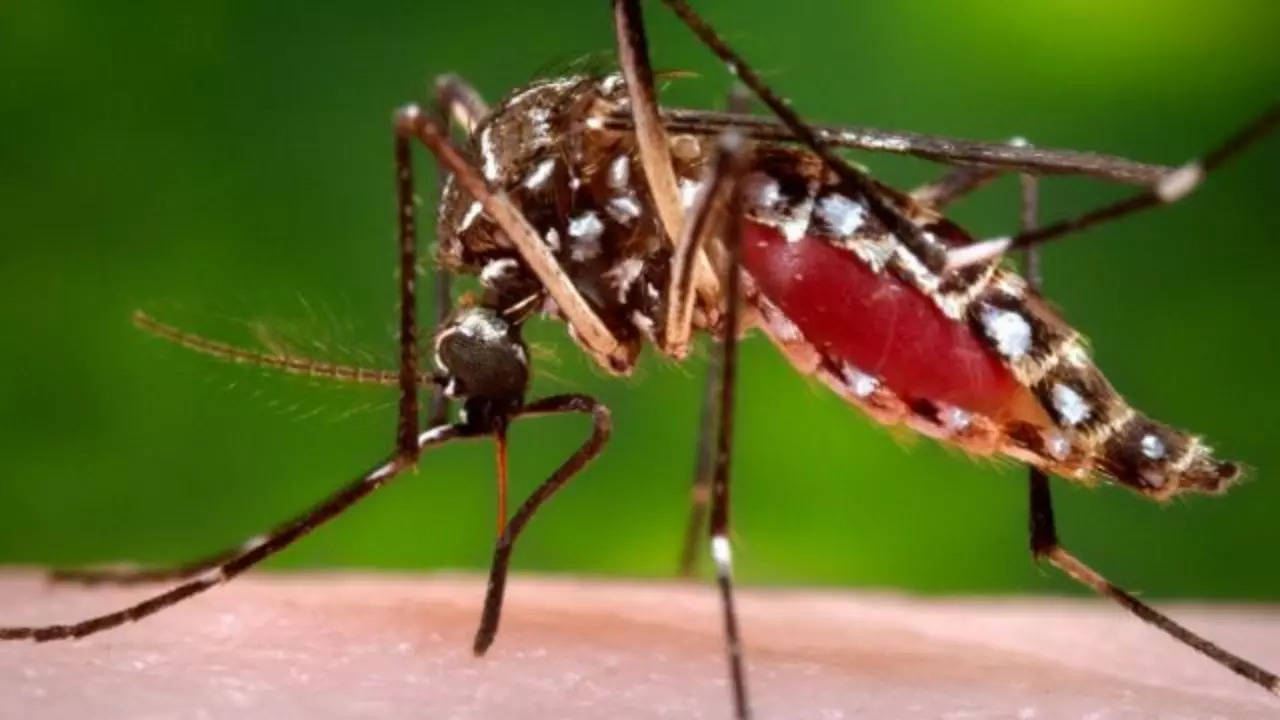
<point x="876" y="322"/>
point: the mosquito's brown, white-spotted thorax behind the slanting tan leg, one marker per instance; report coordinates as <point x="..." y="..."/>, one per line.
<point x="582" y="188"/>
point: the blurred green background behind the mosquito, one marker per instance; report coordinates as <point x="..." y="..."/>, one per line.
<point x="227" y="166"/>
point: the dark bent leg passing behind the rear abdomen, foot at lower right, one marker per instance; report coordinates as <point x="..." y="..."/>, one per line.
<point x="1045" y="544"/>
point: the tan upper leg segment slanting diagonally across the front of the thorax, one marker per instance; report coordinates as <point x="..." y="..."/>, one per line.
<point x="413" y="124"/>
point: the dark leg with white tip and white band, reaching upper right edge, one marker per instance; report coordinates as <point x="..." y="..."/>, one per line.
<point x="1171" y="189"/>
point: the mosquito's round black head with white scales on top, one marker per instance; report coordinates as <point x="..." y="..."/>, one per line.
<point x="483" y="356"/>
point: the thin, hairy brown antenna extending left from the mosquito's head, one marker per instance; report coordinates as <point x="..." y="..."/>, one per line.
<point x="291" y="364"/>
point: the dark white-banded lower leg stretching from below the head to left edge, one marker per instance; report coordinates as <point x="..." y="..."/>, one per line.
<point x="249" y="555"/>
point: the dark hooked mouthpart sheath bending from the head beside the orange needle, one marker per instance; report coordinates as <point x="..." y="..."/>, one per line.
<point x="601" y="429"/>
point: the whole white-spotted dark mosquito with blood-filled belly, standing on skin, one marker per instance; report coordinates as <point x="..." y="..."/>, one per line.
<point x="580" y="199"/>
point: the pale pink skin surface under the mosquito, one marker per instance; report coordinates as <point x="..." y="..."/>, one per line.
<point x="332" y="645"/>
